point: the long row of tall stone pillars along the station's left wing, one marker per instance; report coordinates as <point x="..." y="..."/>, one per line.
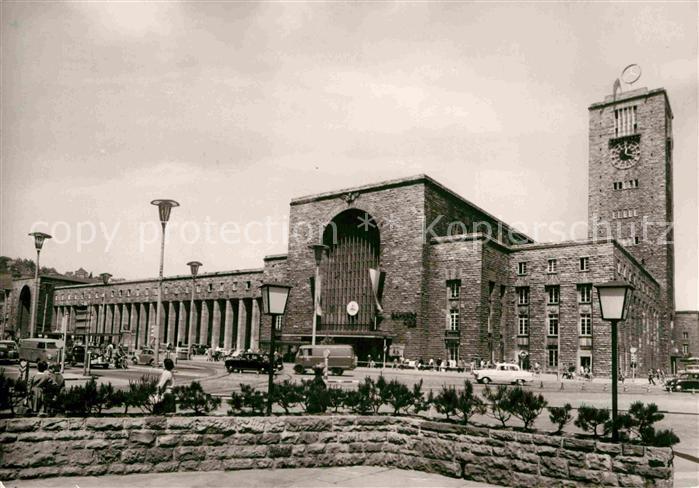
<point x="229" y="323"/>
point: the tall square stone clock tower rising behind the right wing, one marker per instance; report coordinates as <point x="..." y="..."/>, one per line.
<point x="630" y="186"/>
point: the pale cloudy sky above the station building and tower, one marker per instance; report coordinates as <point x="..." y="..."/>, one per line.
<point x="234" y="108"/>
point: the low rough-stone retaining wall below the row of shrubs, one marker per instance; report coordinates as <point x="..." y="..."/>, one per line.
<point x="41" y="447"/>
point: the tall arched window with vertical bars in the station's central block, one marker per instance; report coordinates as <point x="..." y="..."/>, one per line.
<point x="354" y="247"/>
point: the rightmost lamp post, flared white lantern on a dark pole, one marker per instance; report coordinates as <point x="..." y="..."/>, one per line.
<point x="614" y="300"/>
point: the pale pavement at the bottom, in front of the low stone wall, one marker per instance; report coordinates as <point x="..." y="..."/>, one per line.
<point x="349" y="477"/>
